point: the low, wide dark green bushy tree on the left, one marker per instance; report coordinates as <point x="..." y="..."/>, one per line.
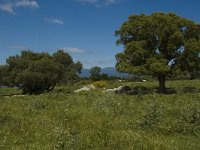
<point x="38" y="72"/>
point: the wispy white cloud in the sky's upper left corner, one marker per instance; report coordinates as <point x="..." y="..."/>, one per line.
<point x="10" y="5"/>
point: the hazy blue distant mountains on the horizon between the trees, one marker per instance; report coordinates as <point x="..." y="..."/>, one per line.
<point x="111" y="71"/>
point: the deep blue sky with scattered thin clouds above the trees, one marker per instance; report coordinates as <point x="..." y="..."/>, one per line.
<point x="83" y="28"/>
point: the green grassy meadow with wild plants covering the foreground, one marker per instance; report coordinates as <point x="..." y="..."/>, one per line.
<point x="96" y="120"/>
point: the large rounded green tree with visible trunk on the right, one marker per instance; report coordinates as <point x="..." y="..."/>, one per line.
<point x="157" y="44"/>
